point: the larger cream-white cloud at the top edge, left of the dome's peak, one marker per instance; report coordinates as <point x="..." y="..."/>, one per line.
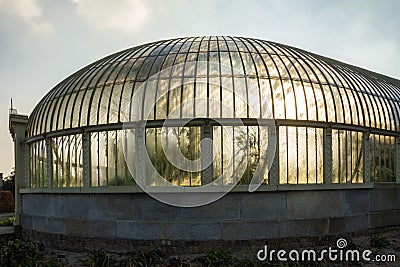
<point x="123" y="15"/>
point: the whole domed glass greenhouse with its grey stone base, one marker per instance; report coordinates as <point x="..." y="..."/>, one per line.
<point x="319" y="138"/>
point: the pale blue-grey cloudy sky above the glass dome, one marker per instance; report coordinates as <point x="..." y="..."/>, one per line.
<point x="44" y="41"/>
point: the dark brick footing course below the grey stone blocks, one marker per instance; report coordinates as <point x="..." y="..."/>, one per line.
<point x="184" y="247"/>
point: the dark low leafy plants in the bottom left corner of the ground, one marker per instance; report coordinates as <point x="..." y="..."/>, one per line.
<point x="18" y="253"/>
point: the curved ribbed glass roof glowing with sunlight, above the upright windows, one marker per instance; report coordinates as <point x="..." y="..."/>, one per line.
<point x="296" y="84"/>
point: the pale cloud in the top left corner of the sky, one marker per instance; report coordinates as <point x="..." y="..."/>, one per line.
<point x="29" y="11"/>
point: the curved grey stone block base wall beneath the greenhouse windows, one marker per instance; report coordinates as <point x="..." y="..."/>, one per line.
<point x="89" y="220"/>
